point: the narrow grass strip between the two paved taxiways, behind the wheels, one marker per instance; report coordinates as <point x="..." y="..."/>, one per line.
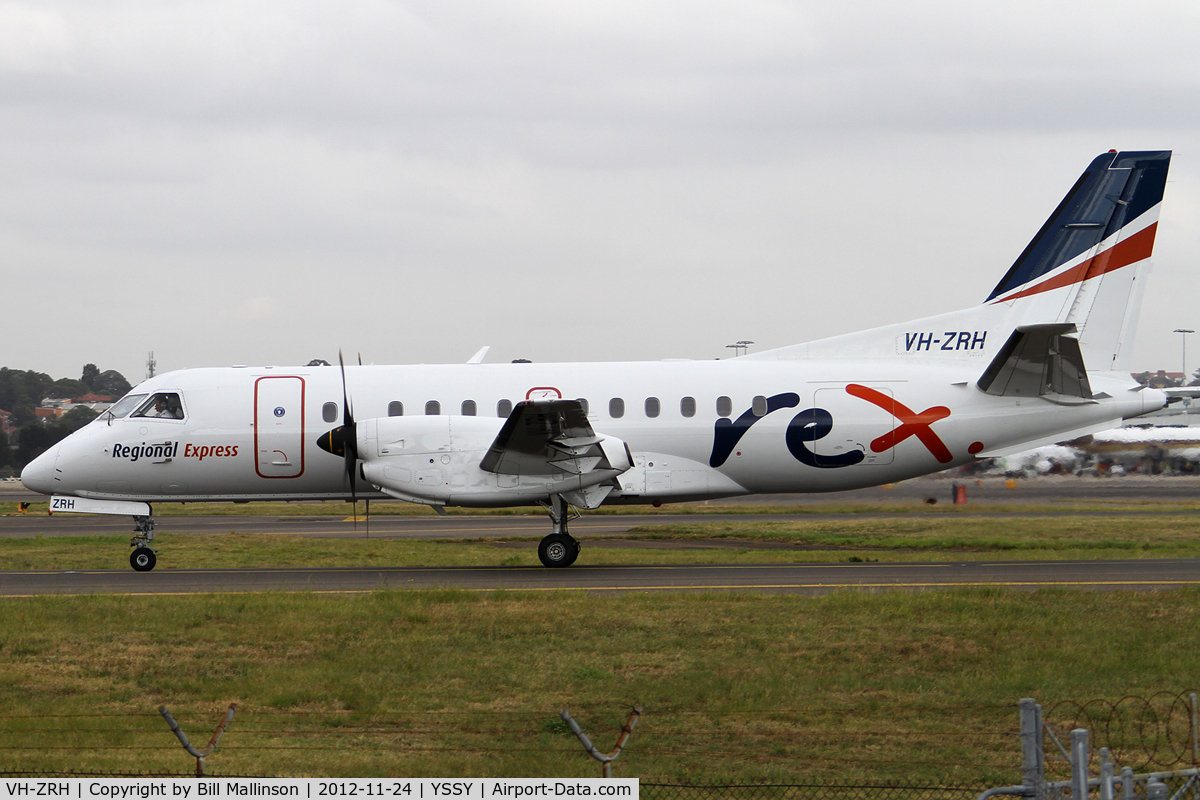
<point x="886" y="539"/>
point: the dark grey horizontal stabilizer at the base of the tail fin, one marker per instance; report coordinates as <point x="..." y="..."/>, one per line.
<point x="1040" y="362"/>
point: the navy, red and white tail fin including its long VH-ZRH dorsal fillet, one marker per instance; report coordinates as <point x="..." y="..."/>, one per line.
<point x="1081" y="280"/>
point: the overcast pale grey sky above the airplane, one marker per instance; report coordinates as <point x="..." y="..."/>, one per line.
<point x="266" y="183"/>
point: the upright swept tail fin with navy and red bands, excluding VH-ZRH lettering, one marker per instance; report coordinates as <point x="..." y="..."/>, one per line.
<point x="1087" y="264"/>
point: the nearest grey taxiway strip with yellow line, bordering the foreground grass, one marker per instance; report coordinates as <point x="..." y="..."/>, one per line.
<point x="799" y="579"/>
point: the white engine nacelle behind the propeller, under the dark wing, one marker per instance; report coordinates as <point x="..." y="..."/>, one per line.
<point x="435" y="460"/>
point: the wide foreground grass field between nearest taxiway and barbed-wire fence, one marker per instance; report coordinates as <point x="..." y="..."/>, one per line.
<point x="736" y="688"/>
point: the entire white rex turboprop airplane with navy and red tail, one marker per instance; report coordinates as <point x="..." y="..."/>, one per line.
<point x="1045" y="359"/>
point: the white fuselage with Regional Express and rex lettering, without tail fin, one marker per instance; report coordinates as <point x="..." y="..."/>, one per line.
<point x="695" y="429"/>
